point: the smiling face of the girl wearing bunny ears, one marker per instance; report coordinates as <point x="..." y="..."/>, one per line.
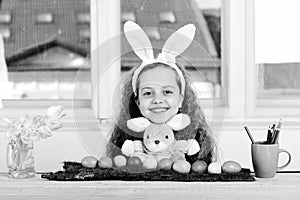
<point x="159" y="95"/>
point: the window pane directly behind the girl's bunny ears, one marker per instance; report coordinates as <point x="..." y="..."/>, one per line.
<point x="161" y="18"/>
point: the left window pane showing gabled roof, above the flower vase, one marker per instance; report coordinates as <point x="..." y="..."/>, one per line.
<point x="47" y="48"/>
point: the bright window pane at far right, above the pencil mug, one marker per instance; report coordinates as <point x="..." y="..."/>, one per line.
<point x="276" y="49"/>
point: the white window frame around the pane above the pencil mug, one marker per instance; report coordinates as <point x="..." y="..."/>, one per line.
<point x="239" y="71"/>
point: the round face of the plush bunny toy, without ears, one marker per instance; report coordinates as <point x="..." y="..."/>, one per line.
<point x="158" y="138"/>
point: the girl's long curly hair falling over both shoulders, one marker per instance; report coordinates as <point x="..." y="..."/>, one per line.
<point x="198" y="129"/>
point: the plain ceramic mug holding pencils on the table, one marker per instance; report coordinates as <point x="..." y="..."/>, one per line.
<point x="265" y="159"/>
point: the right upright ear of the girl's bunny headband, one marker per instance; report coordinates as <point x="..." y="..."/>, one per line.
<point x="179" y="41"/>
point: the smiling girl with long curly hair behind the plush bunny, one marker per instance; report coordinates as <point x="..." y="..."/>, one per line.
<point x="158" y="98"/>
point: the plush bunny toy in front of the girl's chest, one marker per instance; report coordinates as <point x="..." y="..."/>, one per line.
<point x="158" y="141"/>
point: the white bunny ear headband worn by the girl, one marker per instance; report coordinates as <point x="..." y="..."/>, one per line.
<point x="175" y="45"/>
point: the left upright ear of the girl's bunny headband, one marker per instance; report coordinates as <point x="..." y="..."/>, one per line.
<point x="138" y="40"/>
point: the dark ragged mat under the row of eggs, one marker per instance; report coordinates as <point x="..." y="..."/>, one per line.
<point x="74" y="171"/>
